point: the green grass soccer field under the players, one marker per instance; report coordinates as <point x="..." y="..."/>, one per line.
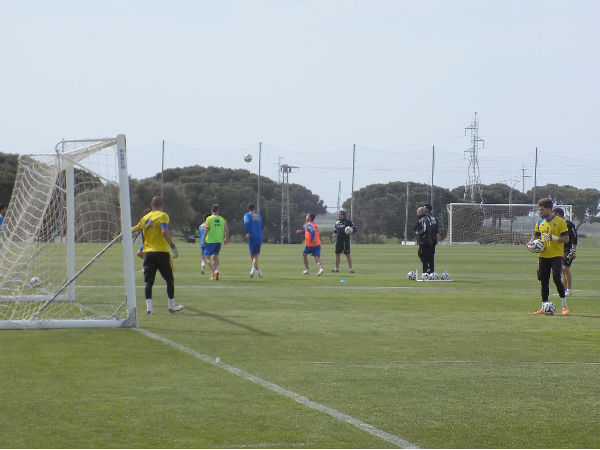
<point x="455" y="365"/>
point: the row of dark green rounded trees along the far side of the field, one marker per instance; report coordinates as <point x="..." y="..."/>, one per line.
<point x="378" y="209"/>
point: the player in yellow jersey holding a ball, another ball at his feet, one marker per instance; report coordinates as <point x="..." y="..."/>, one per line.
<point x="554" y="233"/>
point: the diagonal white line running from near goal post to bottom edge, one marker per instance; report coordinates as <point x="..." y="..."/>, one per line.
<point x="384" y="435"/>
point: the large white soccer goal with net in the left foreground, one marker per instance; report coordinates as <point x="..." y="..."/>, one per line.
<point x="66" y="251"/>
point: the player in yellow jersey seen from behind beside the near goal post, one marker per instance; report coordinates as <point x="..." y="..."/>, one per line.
<point x="157" y="242"/>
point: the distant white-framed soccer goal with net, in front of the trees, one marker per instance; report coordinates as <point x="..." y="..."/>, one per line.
<point x="472" y="223"/>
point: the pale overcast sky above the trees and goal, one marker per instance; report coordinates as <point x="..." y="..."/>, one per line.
<point x="309" y="79"/>
